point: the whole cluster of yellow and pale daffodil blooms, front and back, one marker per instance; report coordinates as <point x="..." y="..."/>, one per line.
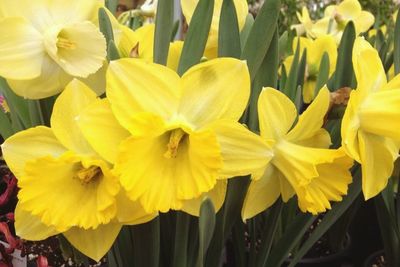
<point x="157" y="141"/>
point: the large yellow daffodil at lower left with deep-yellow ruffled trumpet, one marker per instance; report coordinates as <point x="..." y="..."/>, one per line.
<point x="65" y="186"/>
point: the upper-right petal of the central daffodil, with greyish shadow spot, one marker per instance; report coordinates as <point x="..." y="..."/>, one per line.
<point x="216" y="89"/>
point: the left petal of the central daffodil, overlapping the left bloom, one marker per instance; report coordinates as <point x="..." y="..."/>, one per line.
<point x="102" y="130"/>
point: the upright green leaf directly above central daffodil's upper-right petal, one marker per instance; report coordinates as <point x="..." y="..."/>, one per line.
<point x="228" y="33"/>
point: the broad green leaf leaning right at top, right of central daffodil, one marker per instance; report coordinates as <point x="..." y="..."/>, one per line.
<point x="261" y="35"/>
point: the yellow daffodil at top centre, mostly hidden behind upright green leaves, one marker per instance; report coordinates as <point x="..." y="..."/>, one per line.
<point x="242" y="9"/>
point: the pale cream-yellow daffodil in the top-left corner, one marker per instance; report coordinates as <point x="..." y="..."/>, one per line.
<point x="45" y="44"/>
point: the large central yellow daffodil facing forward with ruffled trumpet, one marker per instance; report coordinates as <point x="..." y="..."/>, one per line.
<point x="180" y="134"/>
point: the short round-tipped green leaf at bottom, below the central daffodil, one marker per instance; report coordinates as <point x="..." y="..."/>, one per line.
<point x="206" y="228"/>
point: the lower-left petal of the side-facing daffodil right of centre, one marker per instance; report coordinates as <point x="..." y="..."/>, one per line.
<point x="261" y="193"/>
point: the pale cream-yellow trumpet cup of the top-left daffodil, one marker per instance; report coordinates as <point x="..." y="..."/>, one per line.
<point x="79" y="48"/>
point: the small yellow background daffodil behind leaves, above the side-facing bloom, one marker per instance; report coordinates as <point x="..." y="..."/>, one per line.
<point x="315" y="51"/>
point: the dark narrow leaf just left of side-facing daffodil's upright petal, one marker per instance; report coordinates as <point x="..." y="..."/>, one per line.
<point x="266" y="77"/>
